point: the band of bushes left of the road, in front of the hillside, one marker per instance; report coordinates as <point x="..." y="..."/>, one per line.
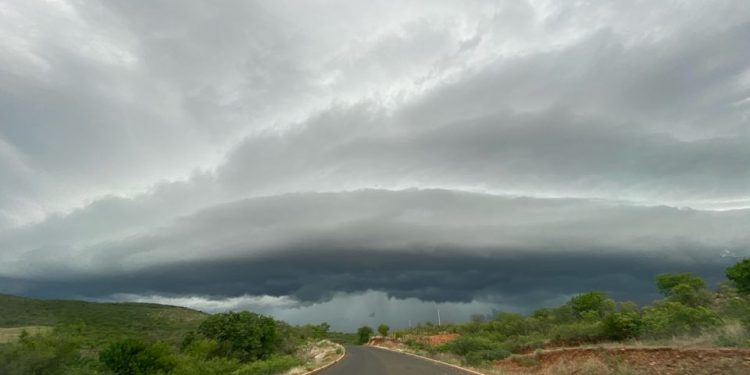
<point x="242" y="343"/>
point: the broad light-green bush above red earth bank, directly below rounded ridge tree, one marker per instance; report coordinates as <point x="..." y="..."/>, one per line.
<point x="673" y="318"/>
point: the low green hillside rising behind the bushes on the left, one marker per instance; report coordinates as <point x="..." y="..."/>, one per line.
<point x="101" y="322"/>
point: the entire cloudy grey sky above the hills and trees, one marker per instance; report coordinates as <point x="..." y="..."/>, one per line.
<point x="359" y="162"/>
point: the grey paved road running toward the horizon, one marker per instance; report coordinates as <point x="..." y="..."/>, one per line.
<point x="362" y="360"/>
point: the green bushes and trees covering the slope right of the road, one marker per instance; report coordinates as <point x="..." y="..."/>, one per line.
<point x="688" y="309"/>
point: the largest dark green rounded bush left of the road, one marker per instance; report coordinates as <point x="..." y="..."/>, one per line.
<point x="245" y="335"/>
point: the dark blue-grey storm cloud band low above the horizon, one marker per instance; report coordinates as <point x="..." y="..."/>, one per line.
<point x="315" y="275"/>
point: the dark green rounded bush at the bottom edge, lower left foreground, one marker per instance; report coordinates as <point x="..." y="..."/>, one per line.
<point x="135" y="357"/>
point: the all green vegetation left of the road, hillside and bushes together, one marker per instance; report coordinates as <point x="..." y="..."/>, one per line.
<point x="83" y="338"/>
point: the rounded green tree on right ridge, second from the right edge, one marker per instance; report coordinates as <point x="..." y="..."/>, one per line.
<point x="685" y="288"/>
